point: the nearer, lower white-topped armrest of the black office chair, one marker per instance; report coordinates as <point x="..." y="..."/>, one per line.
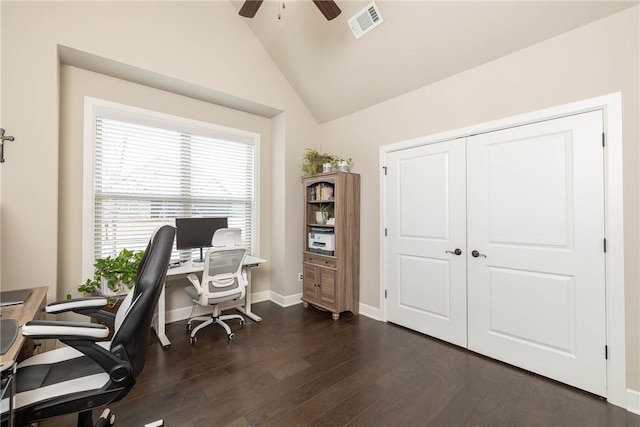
<point x="51" y="329"/>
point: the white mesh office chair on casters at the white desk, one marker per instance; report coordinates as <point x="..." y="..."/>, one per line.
<point x="222" y="280"/>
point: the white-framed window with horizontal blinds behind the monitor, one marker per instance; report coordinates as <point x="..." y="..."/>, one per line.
<point x="144" y="169"/>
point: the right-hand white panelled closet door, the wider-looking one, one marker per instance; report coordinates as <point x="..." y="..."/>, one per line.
<point x="536" y="292"/>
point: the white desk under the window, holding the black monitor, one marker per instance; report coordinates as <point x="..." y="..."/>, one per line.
<point x="195" y="267"/>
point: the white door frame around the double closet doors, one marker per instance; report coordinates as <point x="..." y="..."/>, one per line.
<point x="611" y="106"/>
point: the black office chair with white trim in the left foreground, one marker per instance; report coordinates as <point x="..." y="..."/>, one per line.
<point x="89" y="373"/>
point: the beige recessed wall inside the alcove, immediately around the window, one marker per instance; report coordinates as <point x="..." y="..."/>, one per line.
<point x="75" y="84"/>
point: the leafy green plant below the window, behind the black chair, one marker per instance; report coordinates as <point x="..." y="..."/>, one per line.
<point x="113" y="276"/>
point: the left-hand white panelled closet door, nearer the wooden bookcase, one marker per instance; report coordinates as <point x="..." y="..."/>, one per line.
<point x="425" y="217"/>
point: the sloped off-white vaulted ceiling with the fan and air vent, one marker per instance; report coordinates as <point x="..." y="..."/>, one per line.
<point x="419" y="43"/>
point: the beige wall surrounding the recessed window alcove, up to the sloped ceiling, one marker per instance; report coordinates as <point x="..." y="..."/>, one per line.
<point x="195" y="42"/>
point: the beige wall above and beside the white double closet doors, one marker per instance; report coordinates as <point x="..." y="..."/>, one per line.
<point x="594" y="60"/>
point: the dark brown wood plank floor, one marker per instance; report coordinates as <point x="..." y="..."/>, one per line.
<point x="298" y="367"/>
